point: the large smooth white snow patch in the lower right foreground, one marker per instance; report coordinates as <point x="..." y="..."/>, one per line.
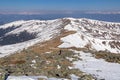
<point x="97" y="67"/>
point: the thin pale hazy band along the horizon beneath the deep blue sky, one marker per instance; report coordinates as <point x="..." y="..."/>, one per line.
<point x="42" y="12"/>
